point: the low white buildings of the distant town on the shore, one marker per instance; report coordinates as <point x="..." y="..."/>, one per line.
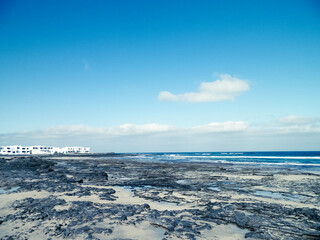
<point x="41" y="150"/>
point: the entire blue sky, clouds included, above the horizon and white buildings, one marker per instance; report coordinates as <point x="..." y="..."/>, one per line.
<point x="147" y="75"/>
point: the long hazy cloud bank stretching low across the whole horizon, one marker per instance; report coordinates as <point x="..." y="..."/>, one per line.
<point x="287" y="133"/>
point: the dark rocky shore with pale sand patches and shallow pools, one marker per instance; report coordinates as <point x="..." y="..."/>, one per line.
<point x="80" y="198"/>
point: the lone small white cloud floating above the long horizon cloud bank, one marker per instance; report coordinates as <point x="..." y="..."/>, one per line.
<point x="225" y="88"/>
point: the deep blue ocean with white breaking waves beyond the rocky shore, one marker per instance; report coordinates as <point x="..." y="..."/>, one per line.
<point x="308" y="161"/>
